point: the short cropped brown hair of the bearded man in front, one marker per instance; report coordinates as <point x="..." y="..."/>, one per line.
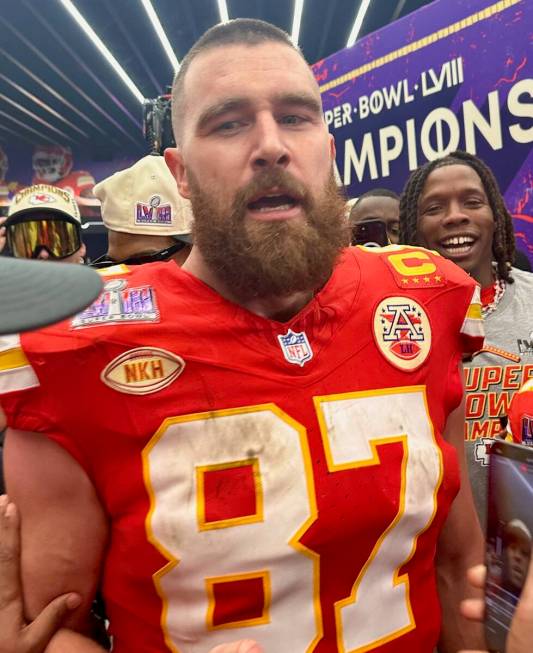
<point x="240" y="31"/>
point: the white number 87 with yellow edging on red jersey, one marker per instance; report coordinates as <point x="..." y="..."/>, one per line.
<point x="266" y="545"/>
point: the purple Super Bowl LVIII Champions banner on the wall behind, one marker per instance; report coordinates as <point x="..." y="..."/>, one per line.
<point x="457" y="74"/>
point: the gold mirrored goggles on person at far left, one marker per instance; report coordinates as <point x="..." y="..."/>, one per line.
<point x="58" y="236"/>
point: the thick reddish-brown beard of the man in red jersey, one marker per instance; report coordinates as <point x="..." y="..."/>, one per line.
<point x="264" y="258"/>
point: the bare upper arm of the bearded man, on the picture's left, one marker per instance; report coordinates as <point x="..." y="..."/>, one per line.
<point x="63" y="527"/>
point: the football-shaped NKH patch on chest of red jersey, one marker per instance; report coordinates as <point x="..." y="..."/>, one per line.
<point x="142" y="370"/>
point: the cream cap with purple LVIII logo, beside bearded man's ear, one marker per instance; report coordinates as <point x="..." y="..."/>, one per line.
<point x="144" y="199"/>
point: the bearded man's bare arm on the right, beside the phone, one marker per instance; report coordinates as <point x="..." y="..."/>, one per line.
<point x="460" y="546"/>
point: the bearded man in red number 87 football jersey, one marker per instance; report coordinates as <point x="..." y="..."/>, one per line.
<point x="262" y="445"/>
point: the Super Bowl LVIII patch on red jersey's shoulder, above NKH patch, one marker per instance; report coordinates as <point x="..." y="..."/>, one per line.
<point x="119" y="304"/>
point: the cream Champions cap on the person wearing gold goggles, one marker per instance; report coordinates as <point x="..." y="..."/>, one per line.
<point x="44" y="198"/>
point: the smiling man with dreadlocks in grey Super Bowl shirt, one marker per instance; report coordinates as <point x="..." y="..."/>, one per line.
<point x="453" y="206"/>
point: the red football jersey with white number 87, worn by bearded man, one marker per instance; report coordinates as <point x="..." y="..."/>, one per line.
<point x="285" y="482"/>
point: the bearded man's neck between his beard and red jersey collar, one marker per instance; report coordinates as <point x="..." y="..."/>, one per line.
<point x="277" y="308"/>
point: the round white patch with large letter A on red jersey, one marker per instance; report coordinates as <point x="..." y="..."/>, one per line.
<point x="402" y="332"/>
